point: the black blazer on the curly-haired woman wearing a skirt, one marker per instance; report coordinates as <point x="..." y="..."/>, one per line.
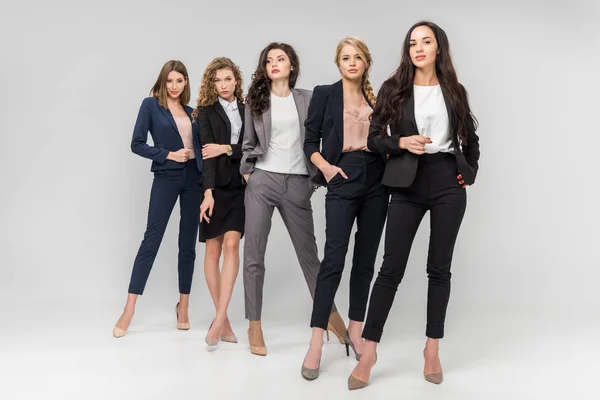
<point x="214" y="127"/>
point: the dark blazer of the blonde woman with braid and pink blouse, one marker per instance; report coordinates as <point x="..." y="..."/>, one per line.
<point x="325" y="122"/>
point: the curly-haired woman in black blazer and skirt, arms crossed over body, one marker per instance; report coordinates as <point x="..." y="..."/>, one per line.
<point x="220" y="115"/>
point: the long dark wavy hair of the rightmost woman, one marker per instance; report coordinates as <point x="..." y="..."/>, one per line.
<point x="399" y="87"/>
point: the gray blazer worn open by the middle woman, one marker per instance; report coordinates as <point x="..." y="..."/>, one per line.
<point x="257" y="133"/>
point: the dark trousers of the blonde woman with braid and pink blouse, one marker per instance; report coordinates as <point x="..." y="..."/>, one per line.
<point x="363" y="198"/>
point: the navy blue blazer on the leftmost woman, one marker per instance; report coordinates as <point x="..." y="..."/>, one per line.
<point x="159" y="121"/>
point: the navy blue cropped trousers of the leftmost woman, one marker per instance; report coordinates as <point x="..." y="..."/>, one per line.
<point x="167" y="186"/>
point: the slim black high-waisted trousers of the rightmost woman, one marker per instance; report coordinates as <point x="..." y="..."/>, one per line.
<point x="435" y="189"/>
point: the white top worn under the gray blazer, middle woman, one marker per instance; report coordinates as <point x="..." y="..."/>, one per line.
<point x="285" y="154"/>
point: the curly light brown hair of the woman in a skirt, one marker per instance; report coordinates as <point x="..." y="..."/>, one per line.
<point x="208" y="94"/>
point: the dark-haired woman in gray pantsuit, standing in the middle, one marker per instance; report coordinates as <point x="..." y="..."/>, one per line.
<point x="278" y="175"/>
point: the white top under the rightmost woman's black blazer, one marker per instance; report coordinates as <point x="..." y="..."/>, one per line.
<point x="432" y="118"/>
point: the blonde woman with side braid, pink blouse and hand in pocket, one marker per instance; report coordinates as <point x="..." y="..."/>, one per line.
<point x="337" y="128"/>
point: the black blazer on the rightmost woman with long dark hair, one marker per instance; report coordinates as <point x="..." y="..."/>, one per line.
<point x="401" y="166"/>
